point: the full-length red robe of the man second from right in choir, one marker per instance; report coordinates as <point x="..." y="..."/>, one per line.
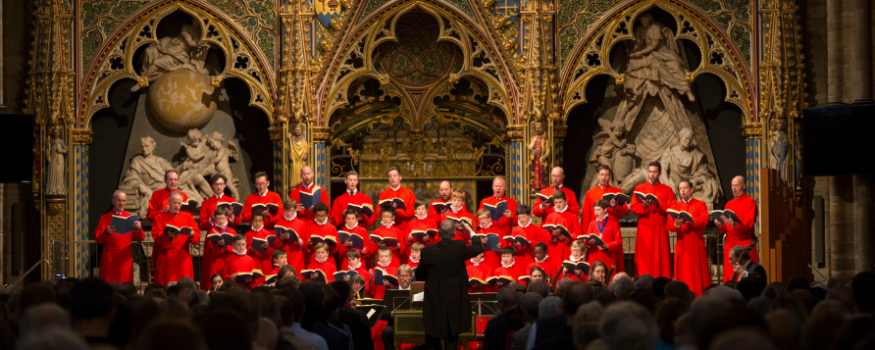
<point x="690" y="260"/>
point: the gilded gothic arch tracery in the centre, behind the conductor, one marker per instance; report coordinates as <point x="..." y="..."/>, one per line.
<point x="354" y="59"/>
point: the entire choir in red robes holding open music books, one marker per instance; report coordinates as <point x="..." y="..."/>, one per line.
<point x="306" y="237"/>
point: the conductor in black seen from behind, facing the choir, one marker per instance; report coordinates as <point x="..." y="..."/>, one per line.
<point x="446" y="308"/>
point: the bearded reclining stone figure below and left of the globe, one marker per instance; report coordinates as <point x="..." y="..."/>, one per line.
<point x="145" y="174"/>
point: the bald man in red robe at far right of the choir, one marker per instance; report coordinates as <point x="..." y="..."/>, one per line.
<point x="738" y="232"/>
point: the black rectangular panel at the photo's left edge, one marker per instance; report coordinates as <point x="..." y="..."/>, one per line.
<point x="17" y="146"/>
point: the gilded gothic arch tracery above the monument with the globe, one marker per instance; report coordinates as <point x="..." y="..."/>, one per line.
<point x="114" y="61"/>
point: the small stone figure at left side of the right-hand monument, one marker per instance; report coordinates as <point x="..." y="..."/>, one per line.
<point x="614" y="151"/>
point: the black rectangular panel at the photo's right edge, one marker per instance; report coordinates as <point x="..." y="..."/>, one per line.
<point x="836" y="140"/>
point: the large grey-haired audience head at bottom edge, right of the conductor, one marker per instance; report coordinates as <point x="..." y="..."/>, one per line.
<point x="628" y="326"/>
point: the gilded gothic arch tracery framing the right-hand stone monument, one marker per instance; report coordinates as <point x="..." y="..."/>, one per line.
<point x="719" y="55"/>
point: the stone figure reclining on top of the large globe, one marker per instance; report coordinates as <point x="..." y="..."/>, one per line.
<point x="184" y="51"/>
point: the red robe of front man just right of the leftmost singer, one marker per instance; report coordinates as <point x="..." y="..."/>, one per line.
<point x="173" y="257"/>
